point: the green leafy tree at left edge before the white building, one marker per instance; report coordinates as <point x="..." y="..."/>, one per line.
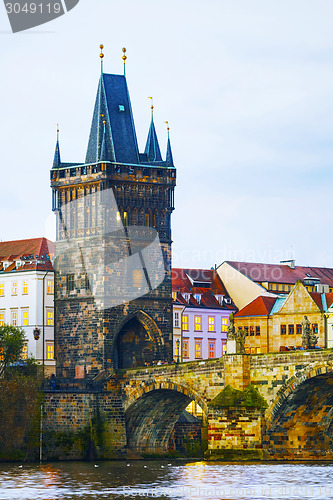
<point x="12" y="339"/>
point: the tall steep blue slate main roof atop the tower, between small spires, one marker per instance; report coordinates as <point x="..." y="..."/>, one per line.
<point x="113" y="106"/>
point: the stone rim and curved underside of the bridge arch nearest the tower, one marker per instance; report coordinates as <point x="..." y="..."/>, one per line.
<point x="152" y="412"/>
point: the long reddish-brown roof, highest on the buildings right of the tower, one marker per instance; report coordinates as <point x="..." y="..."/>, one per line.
<point x="282" y="273"/>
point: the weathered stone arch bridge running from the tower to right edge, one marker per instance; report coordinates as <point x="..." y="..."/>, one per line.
<point x="264" y="406"/>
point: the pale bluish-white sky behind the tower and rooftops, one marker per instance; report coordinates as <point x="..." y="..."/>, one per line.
<point x="247" y="87"/>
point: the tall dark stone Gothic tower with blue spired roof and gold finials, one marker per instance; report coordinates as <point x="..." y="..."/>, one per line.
<point x="111" y="313"/>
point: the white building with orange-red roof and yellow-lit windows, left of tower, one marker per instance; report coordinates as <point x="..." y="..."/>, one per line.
<point x="26" y="295"/>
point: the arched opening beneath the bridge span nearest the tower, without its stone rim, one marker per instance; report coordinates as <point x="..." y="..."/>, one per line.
<point x="152" y="420"/>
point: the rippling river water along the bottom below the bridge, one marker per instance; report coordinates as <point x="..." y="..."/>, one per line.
<point x="183" y="480"/>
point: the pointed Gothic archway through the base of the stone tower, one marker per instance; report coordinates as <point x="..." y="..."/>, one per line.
<point x="138" y="341"/>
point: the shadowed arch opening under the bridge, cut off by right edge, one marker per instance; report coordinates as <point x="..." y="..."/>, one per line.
<point x="301" y="424"/>
